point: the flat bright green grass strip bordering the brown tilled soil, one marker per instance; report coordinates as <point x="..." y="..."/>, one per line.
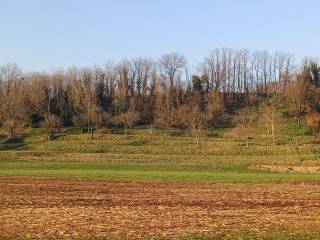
<point x="235" y="174"/>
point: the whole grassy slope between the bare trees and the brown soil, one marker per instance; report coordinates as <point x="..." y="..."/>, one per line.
<point x="155" y="155"/>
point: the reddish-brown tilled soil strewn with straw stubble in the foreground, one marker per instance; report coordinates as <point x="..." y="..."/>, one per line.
<point x="71" y="208"/>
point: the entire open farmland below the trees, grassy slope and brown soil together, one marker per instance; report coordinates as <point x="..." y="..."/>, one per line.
<point x="157" y="184"/>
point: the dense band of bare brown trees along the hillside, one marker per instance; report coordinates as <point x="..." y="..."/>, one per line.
<point x="229" y="87"/>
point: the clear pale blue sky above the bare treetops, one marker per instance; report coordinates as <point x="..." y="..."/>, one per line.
<point x="47" y="34"/>
